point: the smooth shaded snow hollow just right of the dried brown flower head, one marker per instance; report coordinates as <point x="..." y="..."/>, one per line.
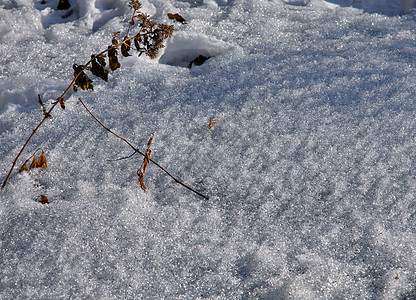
<point x="184" y="47"/>
